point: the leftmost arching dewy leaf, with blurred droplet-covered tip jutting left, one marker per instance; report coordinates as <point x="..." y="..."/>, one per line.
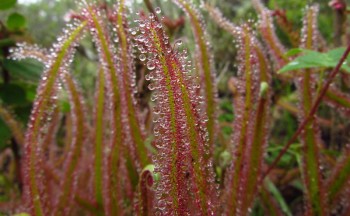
<point x="56" y="61"/>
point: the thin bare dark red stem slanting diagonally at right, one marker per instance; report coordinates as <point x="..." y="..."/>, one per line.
<point x="311" y="114"/>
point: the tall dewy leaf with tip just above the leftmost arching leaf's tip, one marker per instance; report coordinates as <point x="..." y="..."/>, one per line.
<point x="114" y="86"/>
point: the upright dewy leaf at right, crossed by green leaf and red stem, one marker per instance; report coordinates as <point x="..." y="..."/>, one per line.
<point x="310" y="137"/>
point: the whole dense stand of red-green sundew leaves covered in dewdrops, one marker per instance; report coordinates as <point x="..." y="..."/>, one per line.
<point x="182" y="146"/>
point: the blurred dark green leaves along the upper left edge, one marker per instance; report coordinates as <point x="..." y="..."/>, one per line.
<point x="13" y="93"/>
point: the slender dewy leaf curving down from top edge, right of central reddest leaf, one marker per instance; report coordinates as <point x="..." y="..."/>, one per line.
<point x="205" y="65"/>
